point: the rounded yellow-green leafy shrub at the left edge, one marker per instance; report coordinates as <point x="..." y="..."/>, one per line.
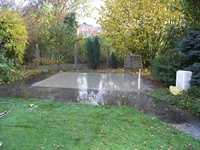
<point x="13" y="35"/>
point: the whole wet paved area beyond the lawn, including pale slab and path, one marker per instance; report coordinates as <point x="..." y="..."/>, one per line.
<point x="101" y="89"/>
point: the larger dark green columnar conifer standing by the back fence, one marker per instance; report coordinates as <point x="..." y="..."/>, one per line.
<point x="93" y="52"/>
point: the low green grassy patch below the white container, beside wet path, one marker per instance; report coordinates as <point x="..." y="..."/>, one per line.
<point x="187" y="100"/>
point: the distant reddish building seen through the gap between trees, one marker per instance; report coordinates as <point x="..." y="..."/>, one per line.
<point x="87" y="30"/>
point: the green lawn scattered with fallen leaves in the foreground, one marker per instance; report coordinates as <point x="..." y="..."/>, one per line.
<point x="55" y="125"/>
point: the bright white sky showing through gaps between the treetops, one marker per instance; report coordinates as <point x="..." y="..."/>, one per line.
<point x="89" y="20"/>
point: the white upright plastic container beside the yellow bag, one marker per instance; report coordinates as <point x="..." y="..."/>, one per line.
<point x="183" y="79"/>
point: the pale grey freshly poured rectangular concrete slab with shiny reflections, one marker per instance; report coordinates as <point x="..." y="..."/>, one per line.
<point x="95" y="81"/>
